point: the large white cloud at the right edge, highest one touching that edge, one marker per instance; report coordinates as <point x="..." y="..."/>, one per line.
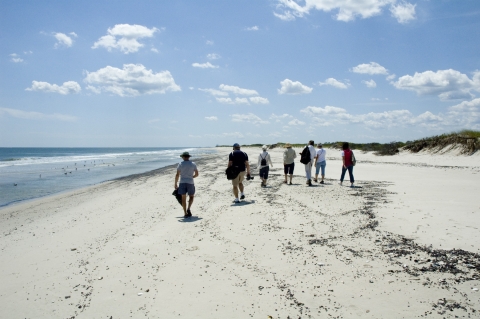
<point x="447" y="84"/>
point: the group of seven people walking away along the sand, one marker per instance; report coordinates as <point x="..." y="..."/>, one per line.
<point x="310" y="157"/>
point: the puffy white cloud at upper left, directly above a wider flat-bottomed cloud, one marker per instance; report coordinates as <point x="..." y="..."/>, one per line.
<point x="124" y="37"/>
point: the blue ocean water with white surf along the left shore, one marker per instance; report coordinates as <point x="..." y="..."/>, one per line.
<point x="28" y="173"/>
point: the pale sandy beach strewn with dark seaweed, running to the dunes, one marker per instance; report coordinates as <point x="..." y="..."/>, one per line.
<point x="404" y="243"/>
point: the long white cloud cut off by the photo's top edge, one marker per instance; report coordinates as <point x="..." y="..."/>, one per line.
<point x="347" y="10"/>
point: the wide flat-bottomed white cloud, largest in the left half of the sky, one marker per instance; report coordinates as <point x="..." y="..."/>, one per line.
<point x="132" y="80"/>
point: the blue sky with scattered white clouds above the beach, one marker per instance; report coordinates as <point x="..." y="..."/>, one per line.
<point x="201" y="73"/>
